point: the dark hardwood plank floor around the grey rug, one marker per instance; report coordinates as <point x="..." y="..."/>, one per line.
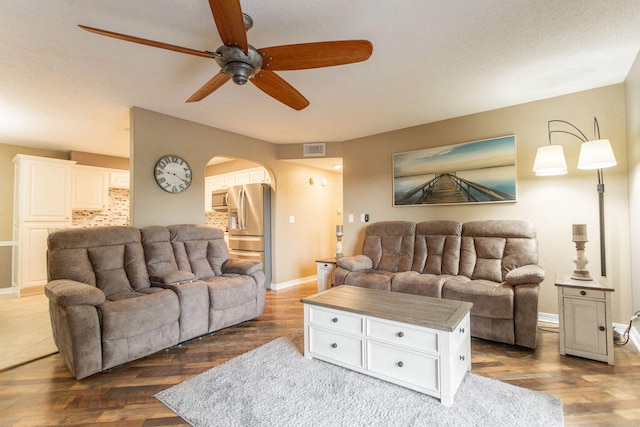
<point x="43" y="392"/>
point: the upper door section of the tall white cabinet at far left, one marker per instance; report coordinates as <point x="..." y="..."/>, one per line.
<point x="42" y="189"/>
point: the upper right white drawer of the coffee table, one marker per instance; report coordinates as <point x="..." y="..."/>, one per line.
<point x="403" y="335"/>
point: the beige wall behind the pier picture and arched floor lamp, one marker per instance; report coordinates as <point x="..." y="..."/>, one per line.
<point x="551" y="203"/>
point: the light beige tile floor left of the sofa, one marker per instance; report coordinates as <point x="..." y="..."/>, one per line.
<point x="25" y="330"/>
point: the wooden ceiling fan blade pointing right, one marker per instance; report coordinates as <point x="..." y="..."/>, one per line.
<point x="315" y="55"/>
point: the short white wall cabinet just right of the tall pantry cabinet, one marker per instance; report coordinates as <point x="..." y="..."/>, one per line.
<point x="90" y="188"/>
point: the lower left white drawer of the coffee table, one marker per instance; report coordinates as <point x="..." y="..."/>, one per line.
<point x="340" y="348"/>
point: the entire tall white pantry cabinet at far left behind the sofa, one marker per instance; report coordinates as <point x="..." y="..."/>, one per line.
<point x="42" y="203"/>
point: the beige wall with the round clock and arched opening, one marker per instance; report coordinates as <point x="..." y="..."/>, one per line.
<point x="295" y="246"/>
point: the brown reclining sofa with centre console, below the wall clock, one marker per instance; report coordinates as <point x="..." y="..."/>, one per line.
<point x="117" y="293"/>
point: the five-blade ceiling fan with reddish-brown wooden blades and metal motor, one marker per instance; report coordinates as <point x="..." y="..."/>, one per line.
<point x="241" y="62"/>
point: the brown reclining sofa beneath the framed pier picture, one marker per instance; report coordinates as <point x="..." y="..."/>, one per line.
<point x="492" y="264"/>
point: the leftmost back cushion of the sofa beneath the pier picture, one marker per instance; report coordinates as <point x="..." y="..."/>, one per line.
<point x="390" y="245"/>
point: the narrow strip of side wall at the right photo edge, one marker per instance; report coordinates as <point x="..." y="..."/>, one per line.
<point x="632" y="98"/>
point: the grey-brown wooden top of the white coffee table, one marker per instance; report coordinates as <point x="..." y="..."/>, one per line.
<point x="435" y="313"/>
